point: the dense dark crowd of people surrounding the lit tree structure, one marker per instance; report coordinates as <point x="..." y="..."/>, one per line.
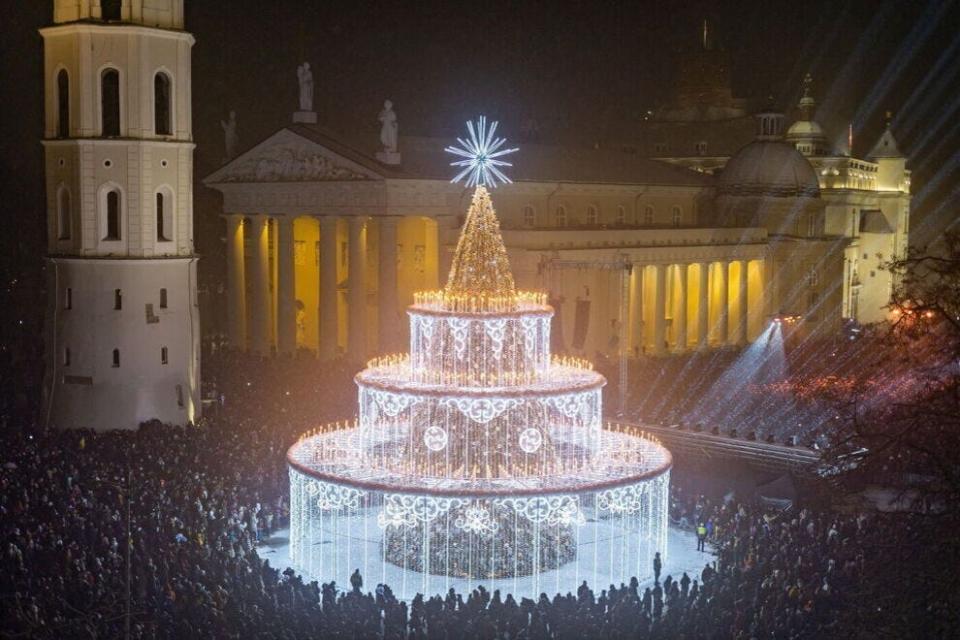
<point x="194" y="501"/>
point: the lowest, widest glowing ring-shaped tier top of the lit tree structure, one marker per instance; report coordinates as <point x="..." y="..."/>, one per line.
<point x="355" y="471"/>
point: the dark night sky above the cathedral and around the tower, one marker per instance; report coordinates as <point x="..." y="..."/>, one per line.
<point x="578" y="65"/>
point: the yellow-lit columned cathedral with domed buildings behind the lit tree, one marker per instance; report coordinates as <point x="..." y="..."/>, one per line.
<point x="693" y="234"/>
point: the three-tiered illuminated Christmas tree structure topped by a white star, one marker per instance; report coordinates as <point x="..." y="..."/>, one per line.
<point x="478" y="457"/>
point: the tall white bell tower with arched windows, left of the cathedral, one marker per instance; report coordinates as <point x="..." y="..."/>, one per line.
<point x="122" y="325"/>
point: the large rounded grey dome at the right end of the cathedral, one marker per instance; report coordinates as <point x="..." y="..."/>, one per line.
<point x="769" y="168"/>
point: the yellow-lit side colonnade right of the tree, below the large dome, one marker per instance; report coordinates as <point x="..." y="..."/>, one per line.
<point x="662" y="294"/>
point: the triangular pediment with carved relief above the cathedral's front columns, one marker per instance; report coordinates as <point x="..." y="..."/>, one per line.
<point x="289" y="157"/>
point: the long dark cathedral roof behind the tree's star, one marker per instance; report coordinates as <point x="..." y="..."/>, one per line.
<point x="424" y="158"/>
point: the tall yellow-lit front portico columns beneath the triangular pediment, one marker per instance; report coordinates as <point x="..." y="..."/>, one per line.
<point x="253" y="323"/>
